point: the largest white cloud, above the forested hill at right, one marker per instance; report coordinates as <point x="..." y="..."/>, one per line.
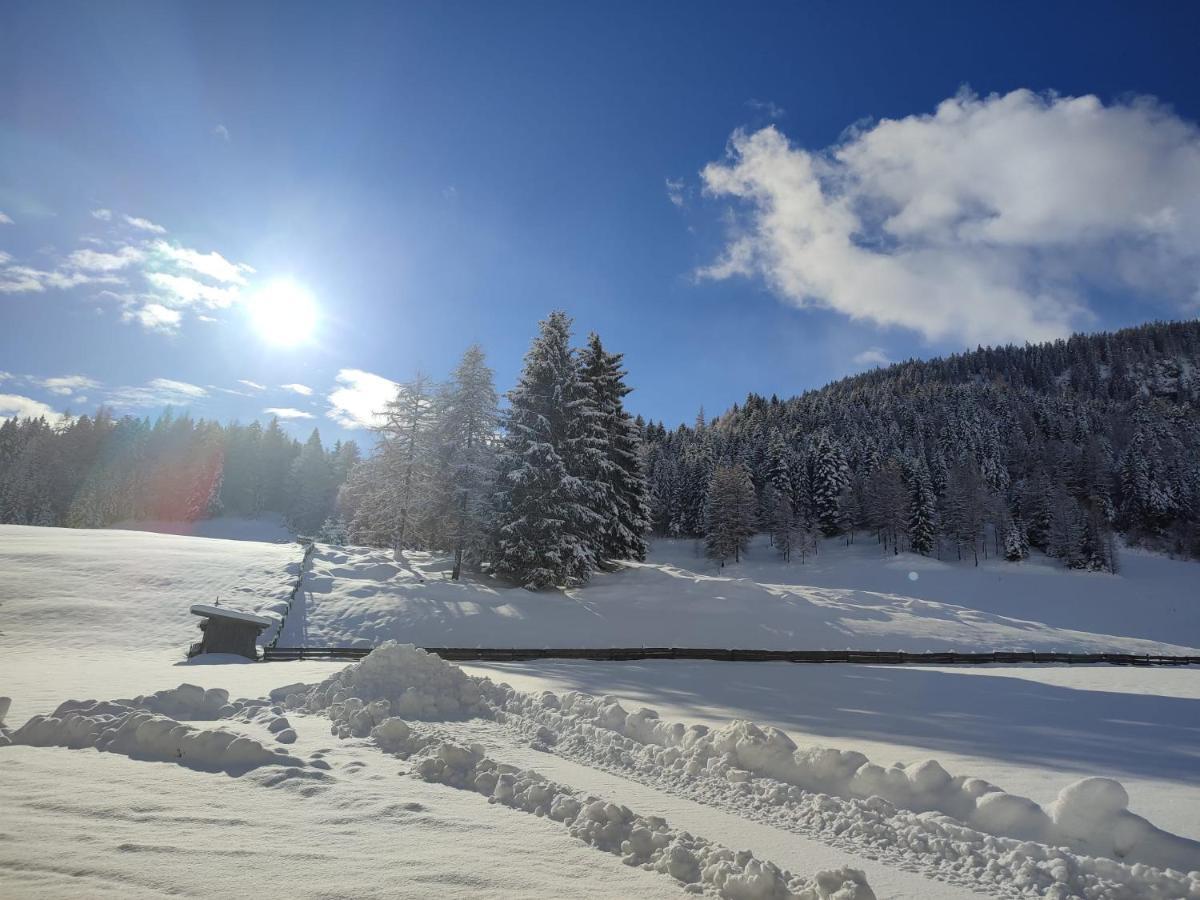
<point x="987" y="221"/>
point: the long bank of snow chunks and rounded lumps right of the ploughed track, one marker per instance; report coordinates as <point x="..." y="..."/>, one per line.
<point x="953" y="823"/>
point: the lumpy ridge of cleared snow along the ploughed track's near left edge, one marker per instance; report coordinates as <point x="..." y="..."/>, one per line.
<point x="646" y="842"/>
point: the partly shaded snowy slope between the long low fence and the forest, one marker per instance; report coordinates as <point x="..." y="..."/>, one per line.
<point x="848" y="598"/>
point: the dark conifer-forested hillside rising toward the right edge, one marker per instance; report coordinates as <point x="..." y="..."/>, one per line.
<point x="1053" y="446"/>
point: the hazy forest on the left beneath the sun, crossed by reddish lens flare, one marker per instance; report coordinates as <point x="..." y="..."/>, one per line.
<point x="92" y="472"/>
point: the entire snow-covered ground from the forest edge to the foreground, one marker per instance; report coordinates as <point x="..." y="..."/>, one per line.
<point x="104" y="615"/>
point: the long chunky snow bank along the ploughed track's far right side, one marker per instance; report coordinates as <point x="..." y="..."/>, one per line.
<point x="764" y="767"/>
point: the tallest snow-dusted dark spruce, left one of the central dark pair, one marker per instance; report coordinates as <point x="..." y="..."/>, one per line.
<point x="547" y="530"/>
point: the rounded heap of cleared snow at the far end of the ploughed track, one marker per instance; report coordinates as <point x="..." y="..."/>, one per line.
<point x="395" y="680"/>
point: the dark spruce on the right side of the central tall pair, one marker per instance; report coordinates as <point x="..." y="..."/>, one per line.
<point x="620" y="472"/>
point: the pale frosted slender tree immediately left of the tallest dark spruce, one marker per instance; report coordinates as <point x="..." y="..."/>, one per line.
<point x="467" y="421"/>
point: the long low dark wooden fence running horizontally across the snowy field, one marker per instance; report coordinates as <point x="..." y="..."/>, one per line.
<point x="885" y="658"/>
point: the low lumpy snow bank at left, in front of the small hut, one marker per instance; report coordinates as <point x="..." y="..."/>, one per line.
<point x="112" y="727"/>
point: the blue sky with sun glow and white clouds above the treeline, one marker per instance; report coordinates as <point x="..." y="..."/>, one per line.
<point x="740" y="200"/>
